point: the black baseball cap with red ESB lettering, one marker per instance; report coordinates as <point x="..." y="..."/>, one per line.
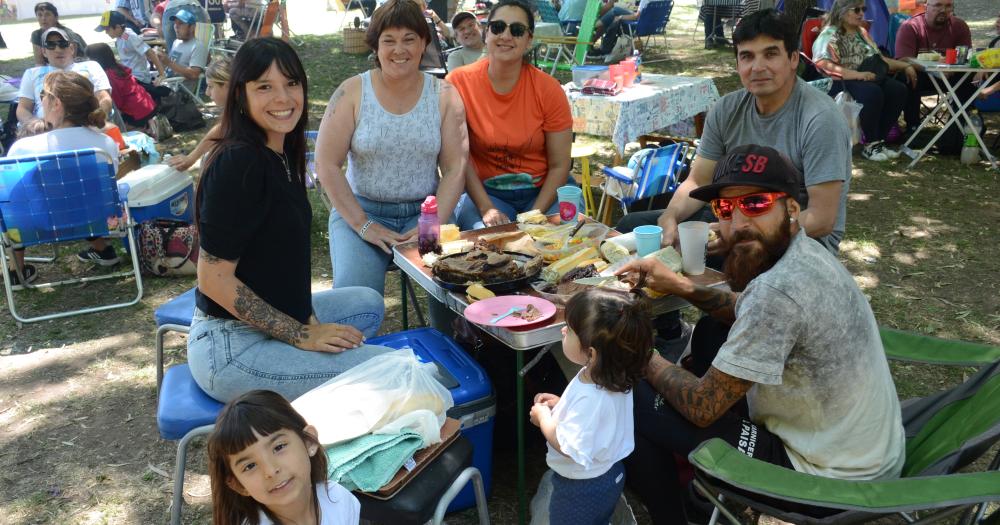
<point x="753" y="165"/>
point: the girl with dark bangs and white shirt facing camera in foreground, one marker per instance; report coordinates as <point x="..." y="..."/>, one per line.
<point x="267" y="467"/>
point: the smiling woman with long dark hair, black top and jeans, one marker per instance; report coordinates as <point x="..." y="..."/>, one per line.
<point x="257" y="325"/>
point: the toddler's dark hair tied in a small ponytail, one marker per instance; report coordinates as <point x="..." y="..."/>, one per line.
<point x="619" y="329"/>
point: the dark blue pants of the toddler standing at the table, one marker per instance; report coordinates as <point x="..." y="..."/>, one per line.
<point x="586" y="501"/>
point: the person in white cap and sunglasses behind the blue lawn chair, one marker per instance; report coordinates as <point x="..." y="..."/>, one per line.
<point x="60" y="51"/>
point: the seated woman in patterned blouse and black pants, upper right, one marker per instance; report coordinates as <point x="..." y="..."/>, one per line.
<point x="844" y="51"/>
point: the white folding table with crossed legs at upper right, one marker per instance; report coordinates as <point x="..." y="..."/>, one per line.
<point x="945" y="83"/>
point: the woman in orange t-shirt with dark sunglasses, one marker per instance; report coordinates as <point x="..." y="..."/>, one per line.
<point x="519" y="126"/>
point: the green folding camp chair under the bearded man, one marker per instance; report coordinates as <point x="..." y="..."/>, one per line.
<point x="945" y="432"/>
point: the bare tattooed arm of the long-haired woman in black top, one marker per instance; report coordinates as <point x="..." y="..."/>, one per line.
<point x="217" y="279"/>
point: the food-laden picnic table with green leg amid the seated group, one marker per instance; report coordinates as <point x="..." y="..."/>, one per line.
<point x="407" y="257"/>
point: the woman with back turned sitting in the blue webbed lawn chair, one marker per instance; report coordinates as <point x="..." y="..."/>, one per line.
<point x="75" y="119"/>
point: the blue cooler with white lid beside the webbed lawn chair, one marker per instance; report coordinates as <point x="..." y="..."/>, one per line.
<point x="158" y="191"/>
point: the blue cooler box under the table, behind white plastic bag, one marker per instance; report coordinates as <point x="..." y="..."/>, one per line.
<point x="470" y="387"/>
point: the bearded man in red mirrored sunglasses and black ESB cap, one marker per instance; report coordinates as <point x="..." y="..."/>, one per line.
<point x="801" y="381"/>
